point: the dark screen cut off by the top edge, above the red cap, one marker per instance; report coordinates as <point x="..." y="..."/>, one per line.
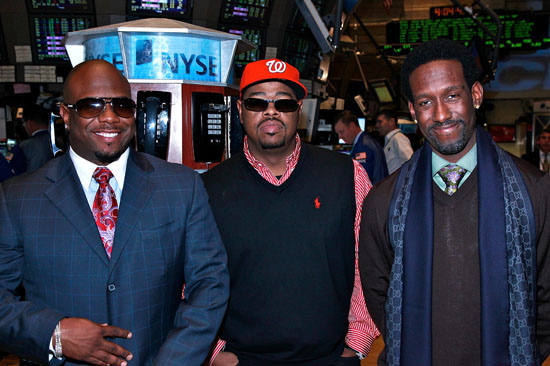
<point x="245" y="11"/>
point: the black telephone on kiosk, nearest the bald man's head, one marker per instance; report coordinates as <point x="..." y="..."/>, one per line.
<point x="152" y="122"/>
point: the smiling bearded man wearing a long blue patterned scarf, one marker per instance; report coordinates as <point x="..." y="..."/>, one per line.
<point x="454" y="247"/>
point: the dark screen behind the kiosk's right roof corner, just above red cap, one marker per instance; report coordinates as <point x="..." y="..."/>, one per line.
<point x="254" y="35"/>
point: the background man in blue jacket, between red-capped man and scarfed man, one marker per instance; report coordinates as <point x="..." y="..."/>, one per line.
<point x="366" y="149"/>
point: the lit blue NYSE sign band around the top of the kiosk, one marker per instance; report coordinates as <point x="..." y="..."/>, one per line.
<point x="161" y="57"/>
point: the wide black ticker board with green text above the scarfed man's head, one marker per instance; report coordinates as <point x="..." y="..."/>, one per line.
<point x="520" y="31"/>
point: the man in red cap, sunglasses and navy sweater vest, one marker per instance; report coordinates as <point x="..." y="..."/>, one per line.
<point x="289" y="216"/>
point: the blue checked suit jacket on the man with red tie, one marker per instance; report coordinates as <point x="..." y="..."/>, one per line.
<point x="165" y="236"/>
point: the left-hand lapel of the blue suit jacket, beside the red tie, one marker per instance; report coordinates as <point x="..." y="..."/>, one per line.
<point x="67" y="195"/>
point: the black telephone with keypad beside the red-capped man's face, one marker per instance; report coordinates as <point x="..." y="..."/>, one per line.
<point x="209" y="113"/>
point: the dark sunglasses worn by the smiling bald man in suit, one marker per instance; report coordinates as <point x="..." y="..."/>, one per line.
<point x="93" y="107"/>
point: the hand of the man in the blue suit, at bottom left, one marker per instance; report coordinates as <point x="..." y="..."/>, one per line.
<point x="84" y="340"/>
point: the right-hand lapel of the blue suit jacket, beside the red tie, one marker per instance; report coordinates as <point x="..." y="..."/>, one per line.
<point x="136" y="193"/>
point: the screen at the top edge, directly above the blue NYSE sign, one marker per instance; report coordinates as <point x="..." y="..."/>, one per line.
<point x="180" y="9"/>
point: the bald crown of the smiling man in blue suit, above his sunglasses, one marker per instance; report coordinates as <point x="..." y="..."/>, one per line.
<point x="92" y="72"/>
